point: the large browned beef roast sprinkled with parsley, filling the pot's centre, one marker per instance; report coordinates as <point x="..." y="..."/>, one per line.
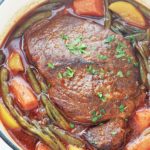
<point x="92" y="71"/>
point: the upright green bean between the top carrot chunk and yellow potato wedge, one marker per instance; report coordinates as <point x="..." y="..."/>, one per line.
<point x="108" y="17"/>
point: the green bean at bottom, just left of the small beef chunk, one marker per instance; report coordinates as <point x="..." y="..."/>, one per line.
<point x="63" y="135"/>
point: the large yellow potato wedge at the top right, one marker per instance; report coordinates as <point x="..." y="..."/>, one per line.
<point x="129" y="13"/>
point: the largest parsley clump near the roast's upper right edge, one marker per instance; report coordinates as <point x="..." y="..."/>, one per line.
<point x="120" y="50"/>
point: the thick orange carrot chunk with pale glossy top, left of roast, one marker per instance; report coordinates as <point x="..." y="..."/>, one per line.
<point x="23" y="94"/>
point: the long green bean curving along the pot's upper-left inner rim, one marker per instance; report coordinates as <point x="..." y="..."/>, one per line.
<point x="35" y="18"/>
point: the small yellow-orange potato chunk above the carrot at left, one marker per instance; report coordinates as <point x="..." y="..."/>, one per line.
<point x="15" y="62"/>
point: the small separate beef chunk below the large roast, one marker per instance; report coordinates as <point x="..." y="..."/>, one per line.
<point x="107" y="136"/>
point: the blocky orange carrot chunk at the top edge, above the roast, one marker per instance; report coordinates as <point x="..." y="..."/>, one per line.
<point x="89" y="7"/>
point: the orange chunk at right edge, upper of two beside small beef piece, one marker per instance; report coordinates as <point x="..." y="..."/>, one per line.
<point x="142" y="119"/>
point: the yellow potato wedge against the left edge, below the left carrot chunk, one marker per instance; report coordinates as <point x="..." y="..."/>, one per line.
<point x="7" y="119"/>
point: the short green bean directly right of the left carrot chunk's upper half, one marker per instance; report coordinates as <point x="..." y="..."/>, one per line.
<point x="34" y="83"/>
